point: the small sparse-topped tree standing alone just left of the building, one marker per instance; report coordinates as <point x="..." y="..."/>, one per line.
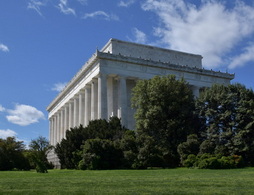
<point x="39" y="149"/>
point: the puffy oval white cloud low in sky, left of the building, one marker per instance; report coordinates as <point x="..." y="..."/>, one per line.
<point x="24" y="115"/>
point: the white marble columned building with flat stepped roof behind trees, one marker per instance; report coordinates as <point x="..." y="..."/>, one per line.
<point x="102" y="87"/>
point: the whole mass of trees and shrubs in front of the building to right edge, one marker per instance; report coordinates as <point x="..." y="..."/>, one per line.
<point x="217" y="133"/>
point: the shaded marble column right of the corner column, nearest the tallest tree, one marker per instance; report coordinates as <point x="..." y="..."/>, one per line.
<point x="122" y="101"/>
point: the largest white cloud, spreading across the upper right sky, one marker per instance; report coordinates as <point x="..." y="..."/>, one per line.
<point x="211" y="29"/>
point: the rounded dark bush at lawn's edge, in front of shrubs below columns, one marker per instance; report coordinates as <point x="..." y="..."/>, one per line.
<point x="101" y="154"/>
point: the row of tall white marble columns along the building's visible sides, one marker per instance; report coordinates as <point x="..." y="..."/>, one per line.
<point x="96" y="100"/>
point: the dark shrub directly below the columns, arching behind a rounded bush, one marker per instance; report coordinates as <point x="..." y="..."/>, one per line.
<point x="69" y="150"/>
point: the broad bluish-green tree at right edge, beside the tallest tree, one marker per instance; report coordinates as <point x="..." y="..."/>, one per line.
<point x="227" y="115"/>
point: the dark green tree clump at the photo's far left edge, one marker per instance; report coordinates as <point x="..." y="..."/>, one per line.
<point x="12" y="155"/>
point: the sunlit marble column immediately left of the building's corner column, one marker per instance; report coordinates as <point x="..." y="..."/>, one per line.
<point x="94" y="99"/>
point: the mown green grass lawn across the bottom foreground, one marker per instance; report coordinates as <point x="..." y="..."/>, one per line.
<point x="161" y="181"/>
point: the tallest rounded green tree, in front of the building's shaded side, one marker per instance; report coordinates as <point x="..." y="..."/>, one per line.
<point x="165" y="115"/>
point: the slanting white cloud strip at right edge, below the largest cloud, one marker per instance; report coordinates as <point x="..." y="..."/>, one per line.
<point x="245" y="57"/>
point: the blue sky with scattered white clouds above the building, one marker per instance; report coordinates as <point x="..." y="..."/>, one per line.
<point x="43" y="43"/>
